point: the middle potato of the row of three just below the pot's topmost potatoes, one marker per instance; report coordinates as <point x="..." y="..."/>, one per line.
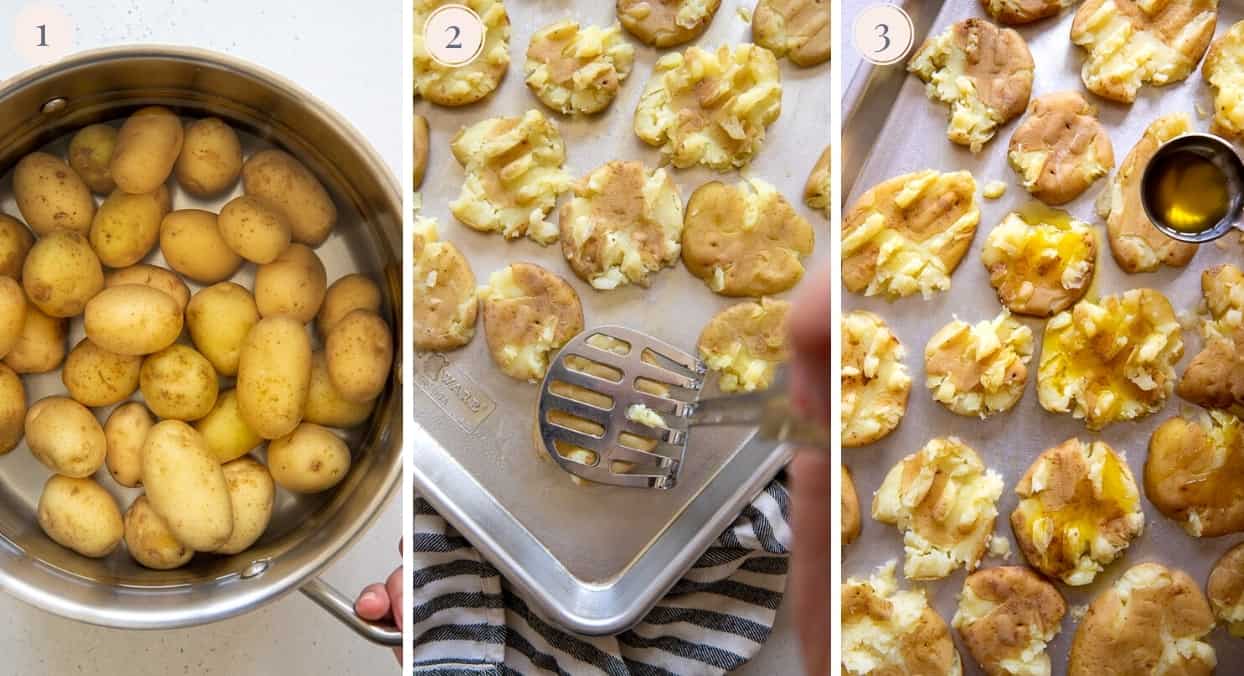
<point x="192" y="246"/>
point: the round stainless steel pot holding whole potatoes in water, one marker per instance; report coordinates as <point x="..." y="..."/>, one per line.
<point x="307" y="533"/>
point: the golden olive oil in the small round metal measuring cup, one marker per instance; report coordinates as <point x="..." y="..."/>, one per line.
<point x="1191" y="192"/>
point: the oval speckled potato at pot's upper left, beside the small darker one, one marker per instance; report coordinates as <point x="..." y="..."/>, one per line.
<point x="50" y="196"/>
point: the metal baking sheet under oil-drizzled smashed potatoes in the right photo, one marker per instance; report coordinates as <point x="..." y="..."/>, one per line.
<point x="1010" y="443"/>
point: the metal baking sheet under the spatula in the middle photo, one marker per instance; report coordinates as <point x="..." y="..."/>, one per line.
<point x="593" y="557"/>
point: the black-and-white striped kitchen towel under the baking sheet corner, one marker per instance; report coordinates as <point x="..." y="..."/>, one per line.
<point x="467" y="622"/>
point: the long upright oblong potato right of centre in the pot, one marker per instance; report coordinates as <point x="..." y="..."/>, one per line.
<point x="274" y="377"/>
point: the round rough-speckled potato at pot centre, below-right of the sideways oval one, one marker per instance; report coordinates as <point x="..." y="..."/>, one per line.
<point x="179" y="384"/>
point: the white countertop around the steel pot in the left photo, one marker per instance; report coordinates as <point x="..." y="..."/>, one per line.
<point x="349" y="55"/>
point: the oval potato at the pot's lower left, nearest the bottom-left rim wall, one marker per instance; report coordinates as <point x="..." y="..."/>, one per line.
<point x="78" y="514"/>
